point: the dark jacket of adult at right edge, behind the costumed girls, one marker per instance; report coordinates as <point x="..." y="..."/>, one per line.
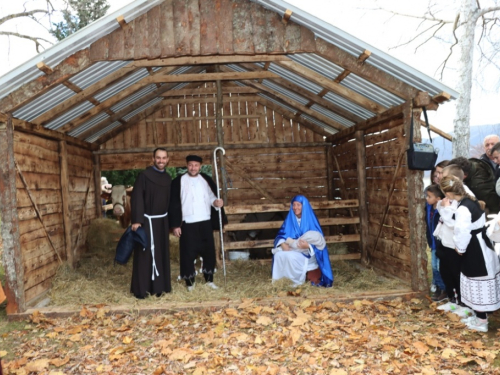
<point x="481" y="180"/>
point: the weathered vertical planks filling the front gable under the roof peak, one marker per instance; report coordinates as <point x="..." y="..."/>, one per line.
<point x="200" y="27"/>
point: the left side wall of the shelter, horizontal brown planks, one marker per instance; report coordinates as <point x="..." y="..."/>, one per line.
<point x="39" y="162"/>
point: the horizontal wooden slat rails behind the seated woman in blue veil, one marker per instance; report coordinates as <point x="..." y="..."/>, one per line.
<point x="265" y="208"/>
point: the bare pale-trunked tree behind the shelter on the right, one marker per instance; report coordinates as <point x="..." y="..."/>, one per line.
<point x="472" y="27"/>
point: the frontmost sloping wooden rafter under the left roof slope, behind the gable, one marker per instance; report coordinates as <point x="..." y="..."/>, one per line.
<point x="85" y="94"/>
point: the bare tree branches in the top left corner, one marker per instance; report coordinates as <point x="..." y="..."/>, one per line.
<point x="34" y="15"/>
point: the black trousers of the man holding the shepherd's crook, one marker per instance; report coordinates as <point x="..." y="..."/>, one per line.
<point x="197" y="239"/>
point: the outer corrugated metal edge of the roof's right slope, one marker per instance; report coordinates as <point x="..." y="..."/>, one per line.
<point x="328" y="31"/>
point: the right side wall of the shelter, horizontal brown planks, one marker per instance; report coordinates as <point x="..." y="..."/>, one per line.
<point x="384" y="144"/>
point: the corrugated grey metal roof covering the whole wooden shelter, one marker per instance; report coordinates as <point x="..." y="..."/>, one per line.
<point x="100" y="70"/>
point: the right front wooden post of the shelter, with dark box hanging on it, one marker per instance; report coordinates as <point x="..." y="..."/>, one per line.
<point x="416" y="213"/>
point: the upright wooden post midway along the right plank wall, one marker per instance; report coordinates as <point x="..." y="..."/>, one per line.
<point x="363" y="208"/>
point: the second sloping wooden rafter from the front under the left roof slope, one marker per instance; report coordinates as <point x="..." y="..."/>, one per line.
<point x="73" y="124"/>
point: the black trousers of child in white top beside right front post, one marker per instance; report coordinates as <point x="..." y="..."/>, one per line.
<point x="449" y="268"/>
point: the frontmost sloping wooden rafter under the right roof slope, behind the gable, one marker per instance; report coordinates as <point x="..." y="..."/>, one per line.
<point x="332" y="86"/>
